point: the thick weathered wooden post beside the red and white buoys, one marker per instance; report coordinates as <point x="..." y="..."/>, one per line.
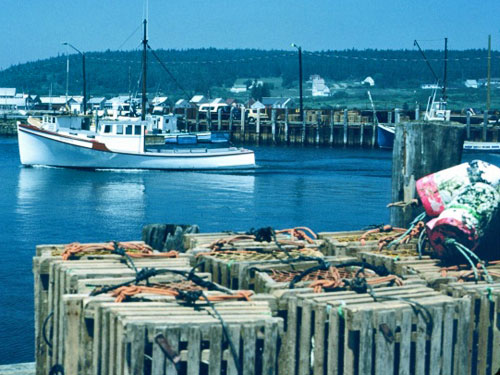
<point x="418" y="151"/>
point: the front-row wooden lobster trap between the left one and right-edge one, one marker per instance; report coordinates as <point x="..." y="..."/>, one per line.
<point x="407" y="330"/>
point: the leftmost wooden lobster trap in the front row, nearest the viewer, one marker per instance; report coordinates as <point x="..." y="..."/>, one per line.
<point x="125" y="336"/>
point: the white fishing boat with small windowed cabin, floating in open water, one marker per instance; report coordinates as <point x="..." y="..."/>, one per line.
<point x="63" y="141"/>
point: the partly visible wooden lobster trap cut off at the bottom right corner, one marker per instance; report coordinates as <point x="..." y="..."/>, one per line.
<point x="484" y="329"/>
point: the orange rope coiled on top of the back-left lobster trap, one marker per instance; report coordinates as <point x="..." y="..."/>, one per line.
<point x="135" y="250"/>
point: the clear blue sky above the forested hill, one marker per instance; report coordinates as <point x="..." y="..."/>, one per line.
<point x="34" y="29"/>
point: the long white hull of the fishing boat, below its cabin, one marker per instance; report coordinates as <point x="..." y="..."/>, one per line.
<point x="39" y="147"/>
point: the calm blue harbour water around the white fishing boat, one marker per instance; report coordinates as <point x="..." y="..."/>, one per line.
<point x="324" y="189"/>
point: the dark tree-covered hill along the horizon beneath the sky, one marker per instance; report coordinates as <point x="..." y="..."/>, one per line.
<point x="185" y="72"/>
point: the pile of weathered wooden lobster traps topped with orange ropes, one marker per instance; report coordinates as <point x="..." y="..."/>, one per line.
<point x="264" y="302"/>
